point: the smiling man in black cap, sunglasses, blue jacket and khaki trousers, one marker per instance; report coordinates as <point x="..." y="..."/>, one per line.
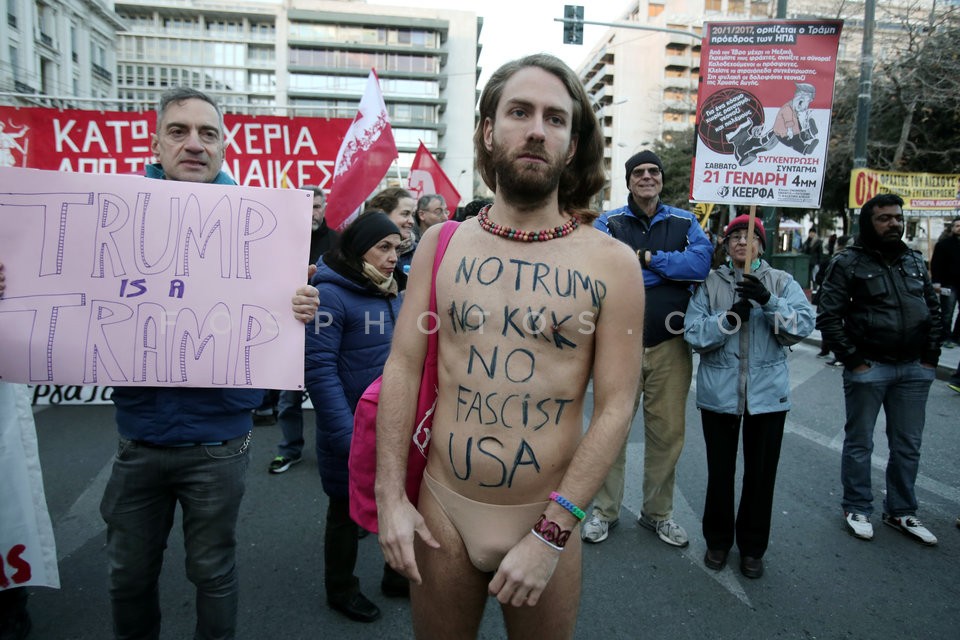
<point x="675" y="253"/>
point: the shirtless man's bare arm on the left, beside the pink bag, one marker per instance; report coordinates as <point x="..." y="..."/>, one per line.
<point x="398" y="520"/>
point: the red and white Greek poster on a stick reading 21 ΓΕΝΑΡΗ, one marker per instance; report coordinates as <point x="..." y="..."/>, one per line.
<point x="763" y="112"/>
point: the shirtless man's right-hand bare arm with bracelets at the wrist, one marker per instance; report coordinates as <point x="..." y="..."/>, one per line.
<point x="618" y="351"/>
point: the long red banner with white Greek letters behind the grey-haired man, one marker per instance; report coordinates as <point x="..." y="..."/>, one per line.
<point x="260" y="150"/>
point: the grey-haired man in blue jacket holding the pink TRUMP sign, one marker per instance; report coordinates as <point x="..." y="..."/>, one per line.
<point x="181" y="445"/>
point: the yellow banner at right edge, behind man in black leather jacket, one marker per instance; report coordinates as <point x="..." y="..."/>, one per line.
<point x="920" y="191"/>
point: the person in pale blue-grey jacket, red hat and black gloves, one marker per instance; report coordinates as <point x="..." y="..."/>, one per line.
<point x="741" y="325"/>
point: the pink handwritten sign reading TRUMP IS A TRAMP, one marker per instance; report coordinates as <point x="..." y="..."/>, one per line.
<point x="127" y="281"/>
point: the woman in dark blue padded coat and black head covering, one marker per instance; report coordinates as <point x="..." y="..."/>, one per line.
<point x="345" y="351"/>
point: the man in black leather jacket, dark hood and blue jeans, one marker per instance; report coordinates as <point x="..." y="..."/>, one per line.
<point x="880" y="315"/>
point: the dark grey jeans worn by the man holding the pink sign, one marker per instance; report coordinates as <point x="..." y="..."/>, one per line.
<point x="138" y="506"/>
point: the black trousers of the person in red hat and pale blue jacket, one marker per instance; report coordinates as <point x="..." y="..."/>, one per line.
<point x="762" y="436"/>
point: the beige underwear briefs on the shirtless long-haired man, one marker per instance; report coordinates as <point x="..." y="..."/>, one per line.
<point x="488" y="531"/>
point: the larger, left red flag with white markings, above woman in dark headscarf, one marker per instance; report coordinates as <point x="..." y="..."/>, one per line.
<point x="365" y="156"/>
